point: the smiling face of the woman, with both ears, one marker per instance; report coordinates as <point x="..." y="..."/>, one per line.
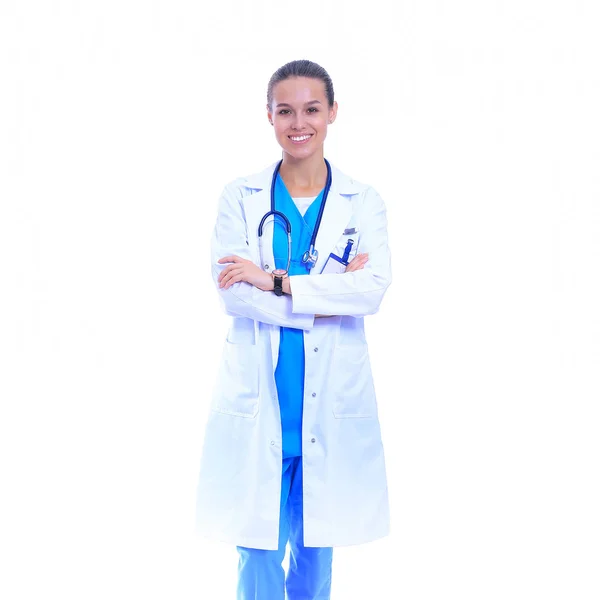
<point x="300" y="115"/>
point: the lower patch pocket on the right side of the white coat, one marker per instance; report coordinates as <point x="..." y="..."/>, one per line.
<point x="353" y="390"/>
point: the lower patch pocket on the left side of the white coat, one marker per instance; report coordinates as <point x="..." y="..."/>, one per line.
<point x="237" y="389"/>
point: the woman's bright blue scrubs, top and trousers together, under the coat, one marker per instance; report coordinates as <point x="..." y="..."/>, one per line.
<point x="260" y="573"/>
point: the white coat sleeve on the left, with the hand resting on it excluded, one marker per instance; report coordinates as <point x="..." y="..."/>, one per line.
<point x="242" y="299"/>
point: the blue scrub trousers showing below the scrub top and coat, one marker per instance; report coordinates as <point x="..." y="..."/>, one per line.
<point x="260" y="572"/>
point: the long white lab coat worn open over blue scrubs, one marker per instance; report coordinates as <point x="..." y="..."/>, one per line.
<point x="345" y="487"/>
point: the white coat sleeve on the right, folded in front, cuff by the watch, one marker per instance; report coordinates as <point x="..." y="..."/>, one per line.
<point x="358" y="293"/>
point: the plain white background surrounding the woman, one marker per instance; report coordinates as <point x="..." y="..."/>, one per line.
<point x="478" y="123"/>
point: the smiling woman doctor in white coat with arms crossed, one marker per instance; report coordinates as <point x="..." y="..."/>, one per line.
<point x="292" y="450"/>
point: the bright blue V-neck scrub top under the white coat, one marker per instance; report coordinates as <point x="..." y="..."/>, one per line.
<point x="289" y="374"/>
